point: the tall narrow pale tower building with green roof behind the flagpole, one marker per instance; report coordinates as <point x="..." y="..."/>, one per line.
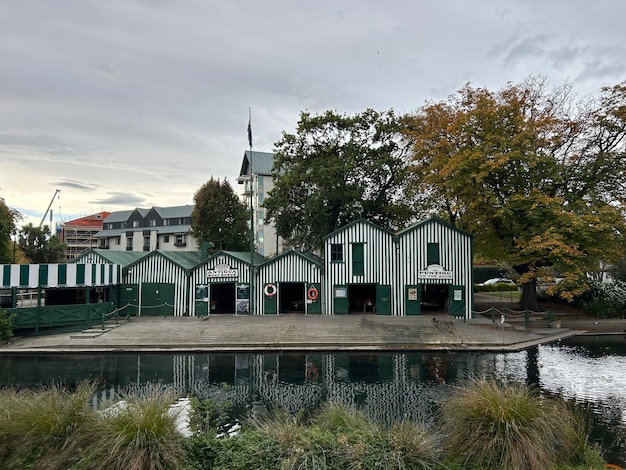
<point x="256" y="172"/>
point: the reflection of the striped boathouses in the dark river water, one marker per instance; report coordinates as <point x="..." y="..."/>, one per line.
<point x="386" y="386"/>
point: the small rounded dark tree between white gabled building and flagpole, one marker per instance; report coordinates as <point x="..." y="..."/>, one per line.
<point x="220" y="217"/>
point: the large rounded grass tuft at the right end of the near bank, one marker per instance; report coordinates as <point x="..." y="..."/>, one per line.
<point x="509" y="426"/>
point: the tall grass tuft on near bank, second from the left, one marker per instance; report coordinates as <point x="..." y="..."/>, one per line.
<point x="139" y="433"/>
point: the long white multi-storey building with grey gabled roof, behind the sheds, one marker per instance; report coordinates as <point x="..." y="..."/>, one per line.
<point x="162" y="228"/>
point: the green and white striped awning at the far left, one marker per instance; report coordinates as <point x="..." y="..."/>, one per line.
<point x="58" y="275"/>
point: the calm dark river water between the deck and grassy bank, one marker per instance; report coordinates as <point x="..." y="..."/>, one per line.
<point x="389" y="386"/>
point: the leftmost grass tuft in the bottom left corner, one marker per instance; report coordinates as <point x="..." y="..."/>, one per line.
<point x="45" y="427"/>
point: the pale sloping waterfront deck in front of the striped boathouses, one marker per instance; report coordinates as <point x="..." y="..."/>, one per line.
<point x="220" y="333"/>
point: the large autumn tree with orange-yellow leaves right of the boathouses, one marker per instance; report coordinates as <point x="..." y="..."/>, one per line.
<point x="536" y="176"/>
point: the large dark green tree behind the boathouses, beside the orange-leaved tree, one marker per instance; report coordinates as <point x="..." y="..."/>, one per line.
<point x="334" y="169"/>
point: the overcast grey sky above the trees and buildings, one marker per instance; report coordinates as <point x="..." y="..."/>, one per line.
<point x="136" y="103"/>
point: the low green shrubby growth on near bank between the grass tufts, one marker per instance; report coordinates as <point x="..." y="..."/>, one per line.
<point x="336" y="437"/>
